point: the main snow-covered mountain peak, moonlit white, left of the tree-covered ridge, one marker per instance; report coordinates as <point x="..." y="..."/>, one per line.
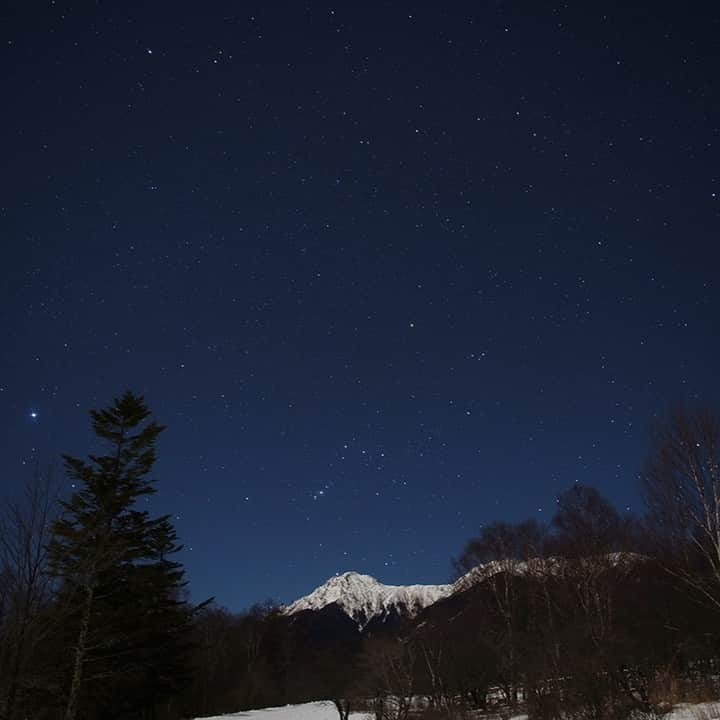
<point x="364" y="598"/>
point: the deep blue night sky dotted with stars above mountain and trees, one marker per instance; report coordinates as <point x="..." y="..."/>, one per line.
<point x="387" y="271"/>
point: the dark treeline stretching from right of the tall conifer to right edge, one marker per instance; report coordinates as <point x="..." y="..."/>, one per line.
<point x="598" y="614"/>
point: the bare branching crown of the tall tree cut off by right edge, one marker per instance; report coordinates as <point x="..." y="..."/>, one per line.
<point x="681" y="483"/>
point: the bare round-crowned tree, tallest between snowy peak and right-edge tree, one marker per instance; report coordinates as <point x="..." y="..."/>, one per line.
<point x="595" y="569"/>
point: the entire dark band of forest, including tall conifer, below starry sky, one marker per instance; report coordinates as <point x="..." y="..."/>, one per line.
<point x="598" y="614"/>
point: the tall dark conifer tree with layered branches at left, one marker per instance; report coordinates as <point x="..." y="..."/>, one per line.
<point x="128" y="622"/>
